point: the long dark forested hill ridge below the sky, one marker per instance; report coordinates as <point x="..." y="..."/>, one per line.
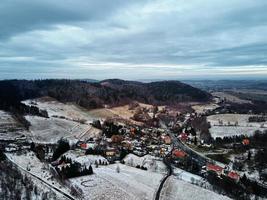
<point x="110" y="92"/>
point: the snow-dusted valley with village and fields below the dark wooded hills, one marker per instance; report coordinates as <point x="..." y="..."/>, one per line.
<point x="124" y="151"/>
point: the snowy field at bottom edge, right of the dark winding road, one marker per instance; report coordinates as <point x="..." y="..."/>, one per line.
<point x="175" y="189"/>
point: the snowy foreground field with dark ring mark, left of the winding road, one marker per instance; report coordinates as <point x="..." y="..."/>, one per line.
<point x="129" y="184"/>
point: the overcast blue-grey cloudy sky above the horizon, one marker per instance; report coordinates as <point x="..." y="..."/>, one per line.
<point x="133" y="39"/>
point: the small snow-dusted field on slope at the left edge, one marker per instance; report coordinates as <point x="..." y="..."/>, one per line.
<point x="9" y="128"/>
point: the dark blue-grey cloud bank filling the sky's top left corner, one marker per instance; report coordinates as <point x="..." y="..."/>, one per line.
<point x="20" y="16"/>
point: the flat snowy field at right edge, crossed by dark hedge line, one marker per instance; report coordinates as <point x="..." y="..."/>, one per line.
<point x="243" y="127"/>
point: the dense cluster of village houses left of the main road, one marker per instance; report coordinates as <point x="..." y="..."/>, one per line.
<point x="139" y="141"/>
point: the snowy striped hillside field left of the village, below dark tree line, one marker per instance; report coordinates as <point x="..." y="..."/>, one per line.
<point x="50" y="130"/>
